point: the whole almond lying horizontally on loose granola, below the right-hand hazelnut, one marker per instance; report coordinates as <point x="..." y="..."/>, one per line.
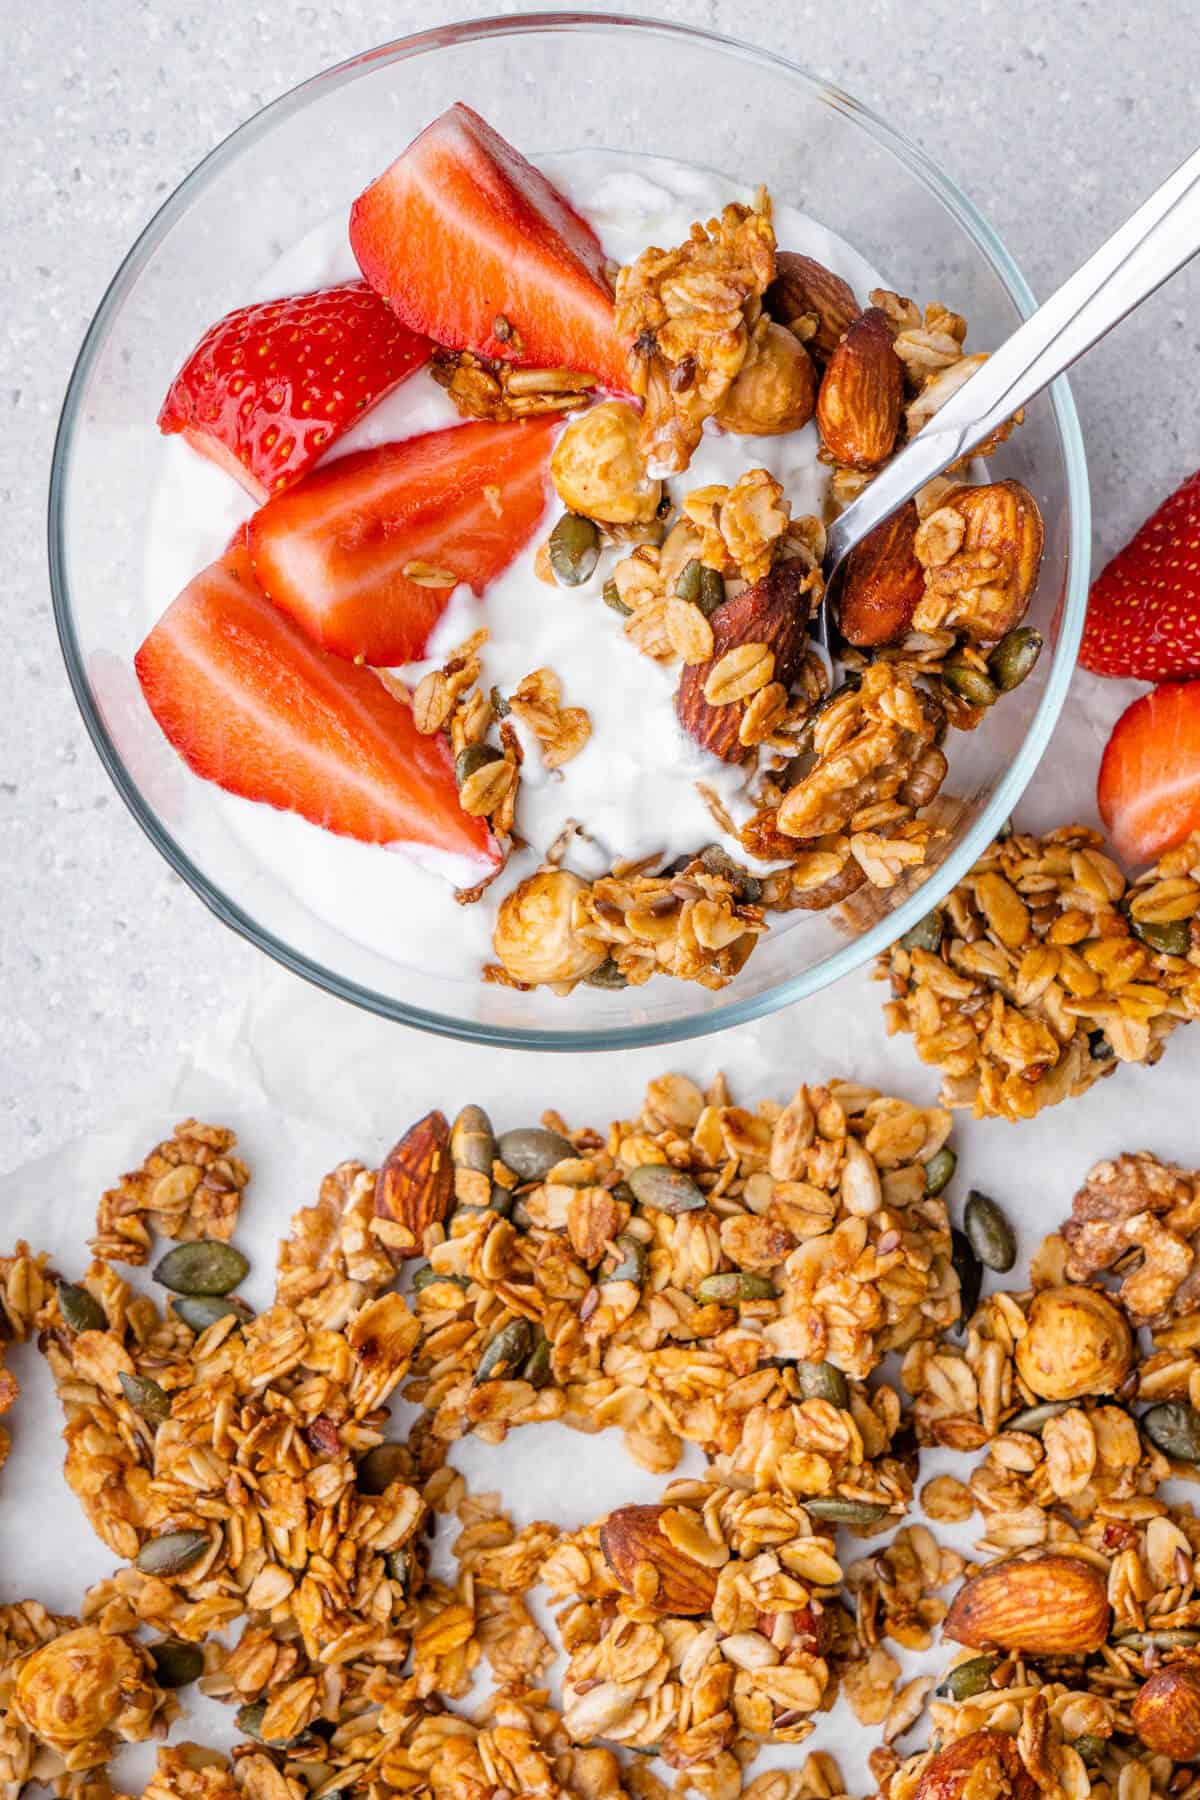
<point x="1050" y="1606"/>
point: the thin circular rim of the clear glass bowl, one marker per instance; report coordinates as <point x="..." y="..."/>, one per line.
<point x="855" y="953"/>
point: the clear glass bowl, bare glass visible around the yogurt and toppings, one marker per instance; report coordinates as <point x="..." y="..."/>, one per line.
<point x="548" y="82"/>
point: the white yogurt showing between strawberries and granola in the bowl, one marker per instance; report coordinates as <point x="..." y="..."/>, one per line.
<point x="634" y="786"/>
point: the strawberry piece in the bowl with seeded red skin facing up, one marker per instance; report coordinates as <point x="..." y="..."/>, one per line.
<point x="271" y="388"/>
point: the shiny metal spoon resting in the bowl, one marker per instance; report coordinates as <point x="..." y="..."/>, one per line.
<point x="1147" y="251"/>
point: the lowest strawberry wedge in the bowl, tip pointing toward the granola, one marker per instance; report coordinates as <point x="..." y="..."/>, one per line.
<point x="249" y="703"/>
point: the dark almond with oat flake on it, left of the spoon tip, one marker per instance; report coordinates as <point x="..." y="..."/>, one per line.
<point x="771" y="615"/>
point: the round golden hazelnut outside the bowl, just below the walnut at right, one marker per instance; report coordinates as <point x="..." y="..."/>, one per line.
<point x="1079" y="1344"/>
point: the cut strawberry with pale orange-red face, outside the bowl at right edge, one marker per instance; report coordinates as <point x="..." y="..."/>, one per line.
<point x="1149" y="787"/>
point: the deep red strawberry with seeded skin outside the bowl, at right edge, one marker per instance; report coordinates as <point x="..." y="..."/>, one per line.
<point x="1143" y="616"/>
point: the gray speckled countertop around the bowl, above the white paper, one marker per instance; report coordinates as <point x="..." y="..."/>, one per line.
<point x="1055" y="120"/>
